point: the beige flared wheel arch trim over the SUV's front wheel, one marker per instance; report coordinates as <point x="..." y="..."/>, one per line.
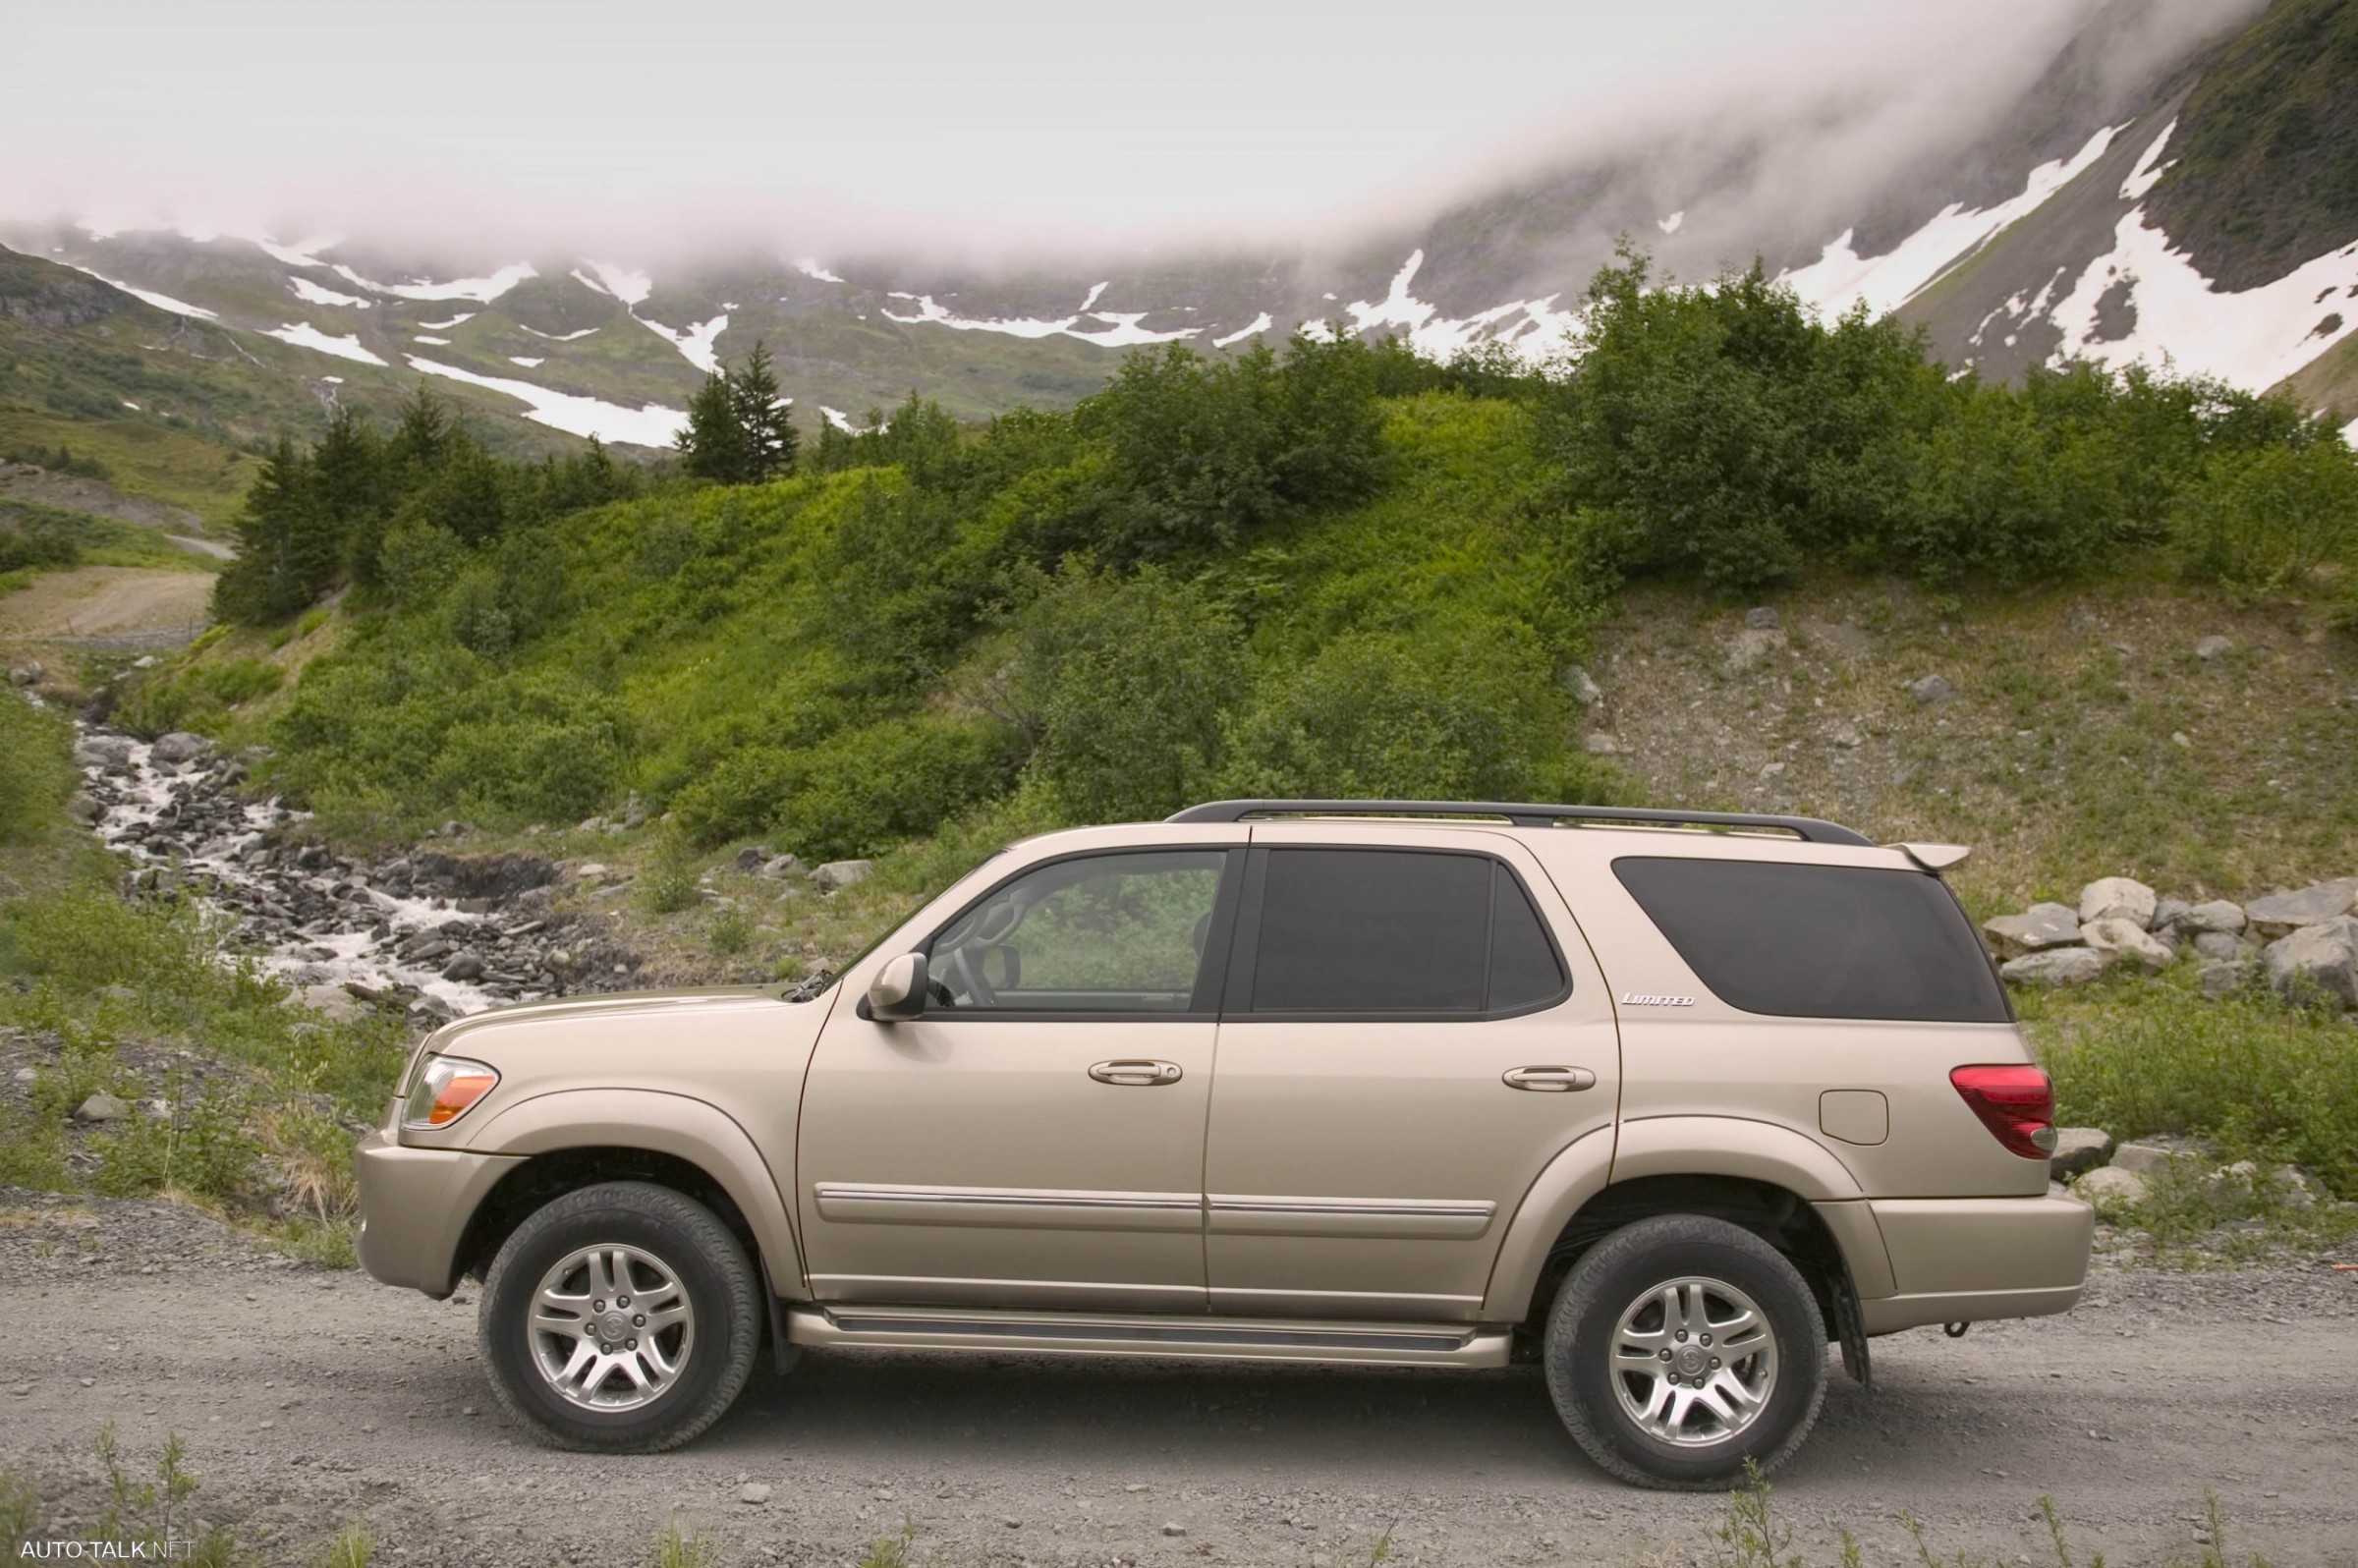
<point x="661" y="1124"/>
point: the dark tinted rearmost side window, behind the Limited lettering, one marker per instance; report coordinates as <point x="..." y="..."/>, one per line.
<point x="1822" y="942"/>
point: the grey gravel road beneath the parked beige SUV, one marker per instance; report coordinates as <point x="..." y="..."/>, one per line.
<point x="312" y="1399"/>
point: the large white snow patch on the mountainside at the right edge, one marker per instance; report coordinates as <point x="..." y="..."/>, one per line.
<point x="2251" y="338"/>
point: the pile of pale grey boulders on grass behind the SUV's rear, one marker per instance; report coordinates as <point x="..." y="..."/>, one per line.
<point x="2303" y="942"/>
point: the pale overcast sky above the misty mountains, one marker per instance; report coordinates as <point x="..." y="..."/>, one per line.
<point x="994" y="119"/>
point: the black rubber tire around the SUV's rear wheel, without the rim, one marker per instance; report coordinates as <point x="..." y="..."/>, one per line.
<point x="1623" y="1270"/>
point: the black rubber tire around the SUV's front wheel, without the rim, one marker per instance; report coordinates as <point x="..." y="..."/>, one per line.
<point x="718" y="1282"/>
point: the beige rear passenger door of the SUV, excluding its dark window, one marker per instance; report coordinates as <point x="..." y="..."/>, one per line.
<point x="1369" y="1166"/>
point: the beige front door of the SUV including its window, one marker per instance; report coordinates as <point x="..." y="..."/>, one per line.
<point x="1036" y="1135"/>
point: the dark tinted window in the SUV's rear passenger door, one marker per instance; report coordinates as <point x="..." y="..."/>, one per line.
<point x="1397" y="933"/>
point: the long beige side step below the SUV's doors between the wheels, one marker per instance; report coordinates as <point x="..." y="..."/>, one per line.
<point x="937" y="1329"/>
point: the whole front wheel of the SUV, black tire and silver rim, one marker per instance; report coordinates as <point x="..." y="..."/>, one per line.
<point x="621" y="1317"/>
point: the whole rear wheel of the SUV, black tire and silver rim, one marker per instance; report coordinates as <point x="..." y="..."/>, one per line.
<point x="1682" y="1348"/>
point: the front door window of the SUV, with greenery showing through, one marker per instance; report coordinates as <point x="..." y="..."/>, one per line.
<point x="1095" y="935"/>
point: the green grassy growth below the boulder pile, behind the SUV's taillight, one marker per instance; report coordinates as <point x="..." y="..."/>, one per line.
<point x="2246" y="1072"/>
